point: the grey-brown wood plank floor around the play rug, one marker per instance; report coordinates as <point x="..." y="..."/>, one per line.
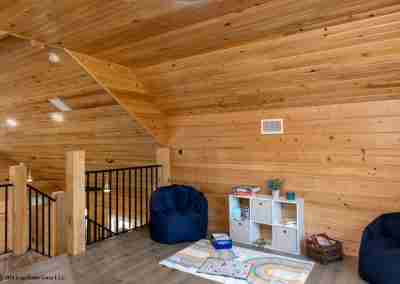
<point x="133" y="258"/>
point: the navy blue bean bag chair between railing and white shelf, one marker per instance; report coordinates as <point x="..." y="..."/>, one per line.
<point x="178" y="214"/>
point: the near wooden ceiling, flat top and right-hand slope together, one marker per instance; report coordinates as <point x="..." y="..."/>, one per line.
<point x="229" y="55"/>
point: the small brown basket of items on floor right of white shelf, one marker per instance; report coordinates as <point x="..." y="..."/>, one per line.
<point x="324" y="249"/>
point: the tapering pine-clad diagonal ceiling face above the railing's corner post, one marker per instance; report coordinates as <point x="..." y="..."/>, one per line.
<point x="123" y="85"/>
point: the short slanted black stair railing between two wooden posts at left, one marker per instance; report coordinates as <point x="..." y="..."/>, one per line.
<point x="41" y="217"/>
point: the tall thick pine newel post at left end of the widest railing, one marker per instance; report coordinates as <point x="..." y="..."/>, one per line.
<point x="75" y="203"/>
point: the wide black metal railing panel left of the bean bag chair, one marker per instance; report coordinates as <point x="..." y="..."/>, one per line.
<point x="117" y="200"/>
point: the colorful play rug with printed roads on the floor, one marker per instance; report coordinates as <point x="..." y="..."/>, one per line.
<point x="265" y="268"/>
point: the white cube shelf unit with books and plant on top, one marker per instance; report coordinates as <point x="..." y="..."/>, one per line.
<point x="278" y="222"/>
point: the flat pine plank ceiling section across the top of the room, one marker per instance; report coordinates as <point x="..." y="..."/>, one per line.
<point x="143" y="33"/>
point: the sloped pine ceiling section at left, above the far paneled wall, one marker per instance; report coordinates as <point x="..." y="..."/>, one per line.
<point x="28" y="80"/>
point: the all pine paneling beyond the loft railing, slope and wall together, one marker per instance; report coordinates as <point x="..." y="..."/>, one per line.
<point x="96" y="123"/>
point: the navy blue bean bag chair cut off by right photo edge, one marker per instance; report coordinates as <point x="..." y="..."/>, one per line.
<point x="379" y="260"/>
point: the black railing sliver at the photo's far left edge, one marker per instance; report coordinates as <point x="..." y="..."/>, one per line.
<point x="5" y="196"/>
